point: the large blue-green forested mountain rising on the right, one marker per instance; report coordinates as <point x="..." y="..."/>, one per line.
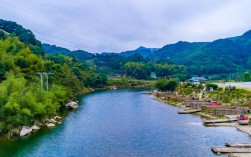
<point x="228" y="55"/>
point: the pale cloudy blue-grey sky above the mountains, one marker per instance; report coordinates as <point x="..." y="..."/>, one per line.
<point x="116" y="25"/>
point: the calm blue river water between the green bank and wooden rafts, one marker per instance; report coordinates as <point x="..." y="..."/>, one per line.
<point x="124" y="123"/>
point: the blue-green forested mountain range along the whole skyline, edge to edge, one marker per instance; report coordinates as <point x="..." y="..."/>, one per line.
<point x="222" y="56"/>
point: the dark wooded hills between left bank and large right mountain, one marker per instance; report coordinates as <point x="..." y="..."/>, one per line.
<point x="134" y="66"/>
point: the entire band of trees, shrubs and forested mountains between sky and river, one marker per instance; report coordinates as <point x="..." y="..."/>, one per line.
<point x="22" y="57"/>
